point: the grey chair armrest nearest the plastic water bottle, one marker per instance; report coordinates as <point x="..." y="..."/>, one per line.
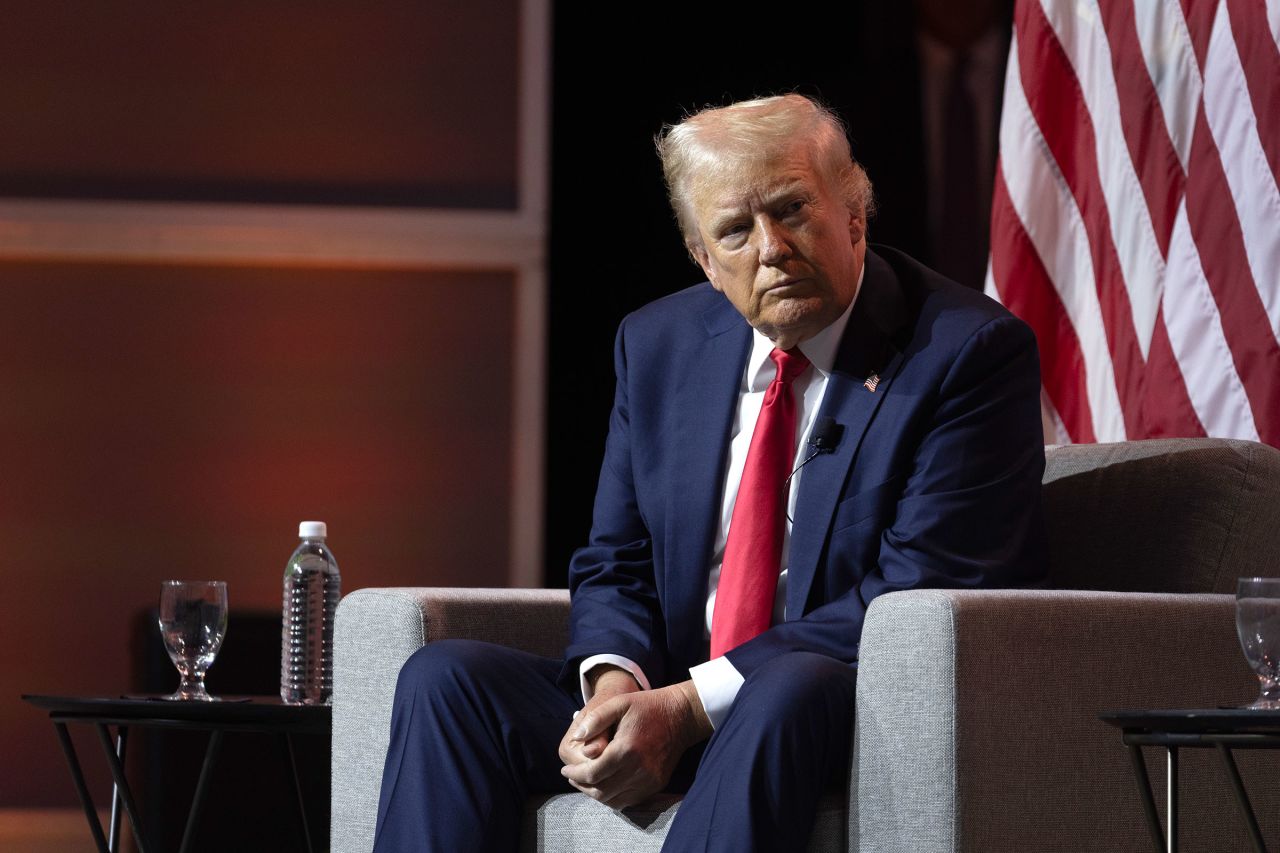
<point x="374" y="635"/>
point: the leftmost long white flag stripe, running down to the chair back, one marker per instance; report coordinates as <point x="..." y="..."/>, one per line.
<point x="1044" y="204"/>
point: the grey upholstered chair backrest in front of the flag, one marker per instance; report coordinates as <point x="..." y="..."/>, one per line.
<point x="1168" y="516"/>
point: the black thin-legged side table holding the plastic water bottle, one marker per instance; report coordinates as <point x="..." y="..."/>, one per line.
<point x="257" y="714"/>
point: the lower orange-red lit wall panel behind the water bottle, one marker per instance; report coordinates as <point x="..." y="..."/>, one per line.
<point x="166" y="422"/>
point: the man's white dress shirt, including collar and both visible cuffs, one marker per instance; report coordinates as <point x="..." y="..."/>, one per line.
<point x="717" y="682"/>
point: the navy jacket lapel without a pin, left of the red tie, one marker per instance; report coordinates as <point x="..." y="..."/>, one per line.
<point x="707" y="403"/>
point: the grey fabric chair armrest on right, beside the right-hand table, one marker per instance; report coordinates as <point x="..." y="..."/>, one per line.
<point x="979" y="727"/>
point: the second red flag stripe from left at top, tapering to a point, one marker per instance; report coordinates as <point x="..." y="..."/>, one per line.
<point x="1160" y="172"/>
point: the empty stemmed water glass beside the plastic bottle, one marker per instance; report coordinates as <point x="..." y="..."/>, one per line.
<point x="193" y="622"/>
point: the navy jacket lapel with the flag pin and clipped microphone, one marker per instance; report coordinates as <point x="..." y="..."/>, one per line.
<point x="867" y="350"/>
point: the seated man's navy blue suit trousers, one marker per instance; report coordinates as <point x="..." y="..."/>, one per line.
<point x="477" y="728"/>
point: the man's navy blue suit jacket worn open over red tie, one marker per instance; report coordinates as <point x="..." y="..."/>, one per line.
<point x="935" y="481"/>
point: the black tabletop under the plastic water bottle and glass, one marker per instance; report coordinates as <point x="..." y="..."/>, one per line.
<point x="264" y="710"/>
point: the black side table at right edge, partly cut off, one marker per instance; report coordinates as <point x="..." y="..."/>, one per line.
<point x="1220" y="729"/>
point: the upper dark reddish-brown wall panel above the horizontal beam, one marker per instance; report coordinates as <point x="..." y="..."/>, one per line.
<point x="399" y="102"/>
